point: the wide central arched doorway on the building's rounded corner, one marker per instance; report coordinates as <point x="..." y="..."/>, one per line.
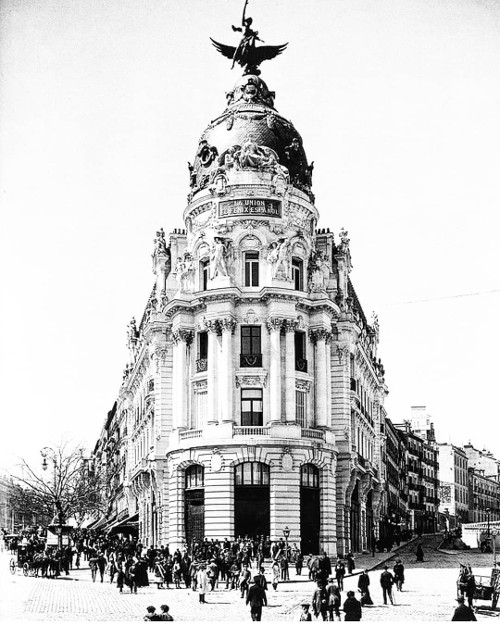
<point x="251" y="499"/>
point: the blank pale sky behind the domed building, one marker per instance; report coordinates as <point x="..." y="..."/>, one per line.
<point x="101" y="107"/>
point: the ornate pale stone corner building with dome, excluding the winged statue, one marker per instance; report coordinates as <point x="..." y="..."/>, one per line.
<point x="253" y="399"/>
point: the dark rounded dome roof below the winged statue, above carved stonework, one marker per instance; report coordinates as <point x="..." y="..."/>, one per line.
<point x="250" y="116"/>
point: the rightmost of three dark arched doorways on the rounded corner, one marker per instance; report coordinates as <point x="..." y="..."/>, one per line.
<point x="309" y="509"/>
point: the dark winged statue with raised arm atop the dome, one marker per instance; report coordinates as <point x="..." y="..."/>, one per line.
<point x="247" y="54"/>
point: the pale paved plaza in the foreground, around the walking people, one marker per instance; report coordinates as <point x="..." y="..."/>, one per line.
<point x="428" y="595"/>
